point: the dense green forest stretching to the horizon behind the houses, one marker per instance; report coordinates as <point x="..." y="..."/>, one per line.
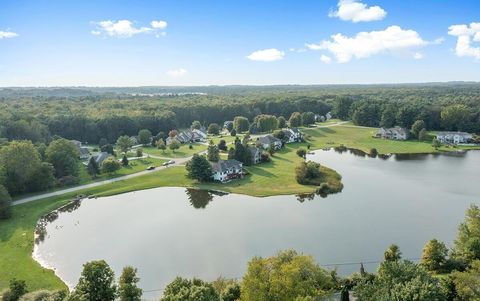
<point x="89" y="114"/>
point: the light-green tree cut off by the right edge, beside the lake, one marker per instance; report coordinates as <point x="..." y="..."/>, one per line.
<point x="467" y="245"/>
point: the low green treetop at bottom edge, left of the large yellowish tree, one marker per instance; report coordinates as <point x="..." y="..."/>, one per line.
<point x="181" y="289"/>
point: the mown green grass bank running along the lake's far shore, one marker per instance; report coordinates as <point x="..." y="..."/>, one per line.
<point x="274" y="178"/>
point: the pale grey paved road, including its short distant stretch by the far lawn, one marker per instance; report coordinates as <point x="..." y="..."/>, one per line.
<point x="178" y="161"/>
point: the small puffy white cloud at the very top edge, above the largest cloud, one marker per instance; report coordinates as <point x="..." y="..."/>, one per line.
<point x="356" y="11"/>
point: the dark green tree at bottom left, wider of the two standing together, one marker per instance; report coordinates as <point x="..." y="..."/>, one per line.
<point x="97" y="282"/>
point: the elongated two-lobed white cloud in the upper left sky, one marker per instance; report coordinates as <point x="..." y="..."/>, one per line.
<point x="127" y="29"/>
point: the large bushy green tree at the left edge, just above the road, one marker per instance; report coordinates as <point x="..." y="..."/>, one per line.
<point x="20" y="161"/>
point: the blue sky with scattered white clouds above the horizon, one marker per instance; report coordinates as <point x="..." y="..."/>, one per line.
<point x="115" y="43"/>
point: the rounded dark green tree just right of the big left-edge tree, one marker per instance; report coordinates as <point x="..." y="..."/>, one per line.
<point x="64" y="157"/>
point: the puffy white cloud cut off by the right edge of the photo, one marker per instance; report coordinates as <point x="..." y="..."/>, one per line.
<point x="466" y="36"/>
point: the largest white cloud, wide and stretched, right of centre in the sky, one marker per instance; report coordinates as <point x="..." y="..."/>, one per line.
<point x="365" y="44"/>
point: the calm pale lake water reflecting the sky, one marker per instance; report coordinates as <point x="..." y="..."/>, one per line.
<point x="166" y="232"/>
